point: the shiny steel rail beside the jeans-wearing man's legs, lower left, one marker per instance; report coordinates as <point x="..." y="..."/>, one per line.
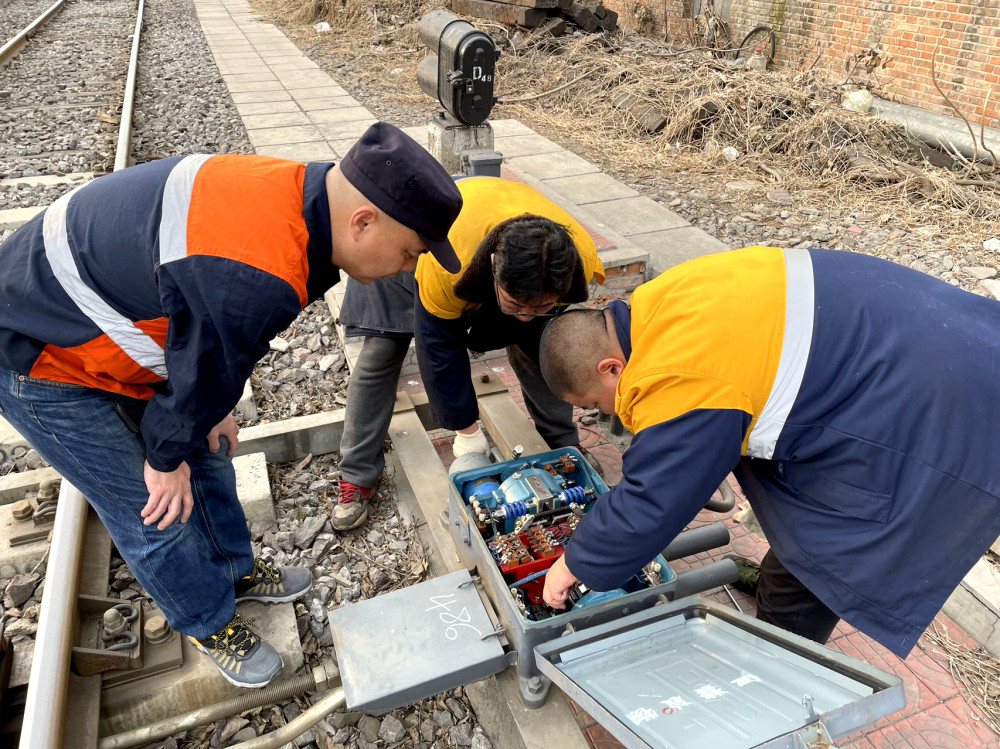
<point x="45" y="705"/>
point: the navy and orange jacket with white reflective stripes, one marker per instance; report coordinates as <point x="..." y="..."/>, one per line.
<point x="165" y="281"/>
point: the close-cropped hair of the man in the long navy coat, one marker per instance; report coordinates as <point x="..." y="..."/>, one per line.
<point x="570" y="349"/>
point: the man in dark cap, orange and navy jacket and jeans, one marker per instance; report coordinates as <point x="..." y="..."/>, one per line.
<point x="132" y="311"/>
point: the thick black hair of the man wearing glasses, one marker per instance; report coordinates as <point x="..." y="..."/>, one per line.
<point x="534" y="257"/>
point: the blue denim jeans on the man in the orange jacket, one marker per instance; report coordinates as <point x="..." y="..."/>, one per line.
<point x="189" y="569"/>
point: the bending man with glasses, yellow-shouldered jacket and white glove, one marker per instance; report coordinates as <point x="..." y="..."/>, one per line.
<point x="523" y="258"/>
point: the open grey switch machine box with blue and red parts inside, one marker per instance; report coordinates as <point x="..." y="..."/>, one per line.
<point x="511" y="520"/>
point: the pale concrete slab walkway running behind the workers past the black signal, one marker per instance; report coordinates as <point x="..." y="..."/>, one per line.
<point x="293" y="109"/>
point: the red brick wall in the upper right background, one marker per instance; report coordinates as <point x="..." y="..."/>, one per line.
<point x="968" y="60"/>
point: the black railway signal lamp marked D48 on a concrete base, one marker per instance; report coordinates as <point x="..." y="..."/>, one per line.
<point x="460" y="73"/>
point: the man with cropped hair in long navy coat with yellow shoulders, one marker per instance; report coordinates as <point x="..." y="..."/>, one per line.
<point x="856" y="400"/>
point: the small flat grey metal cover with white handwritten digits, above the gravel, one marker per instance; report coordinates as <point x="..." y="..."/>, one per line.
<point x="397" y="648"/>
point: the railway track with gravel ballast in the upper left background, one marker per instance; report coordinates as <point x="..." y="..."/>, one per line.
<point x="64" y="94"/>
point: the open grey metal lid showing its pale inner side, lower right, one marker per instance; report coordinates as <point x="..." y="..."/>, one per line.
<point x="692" y="674"/>
